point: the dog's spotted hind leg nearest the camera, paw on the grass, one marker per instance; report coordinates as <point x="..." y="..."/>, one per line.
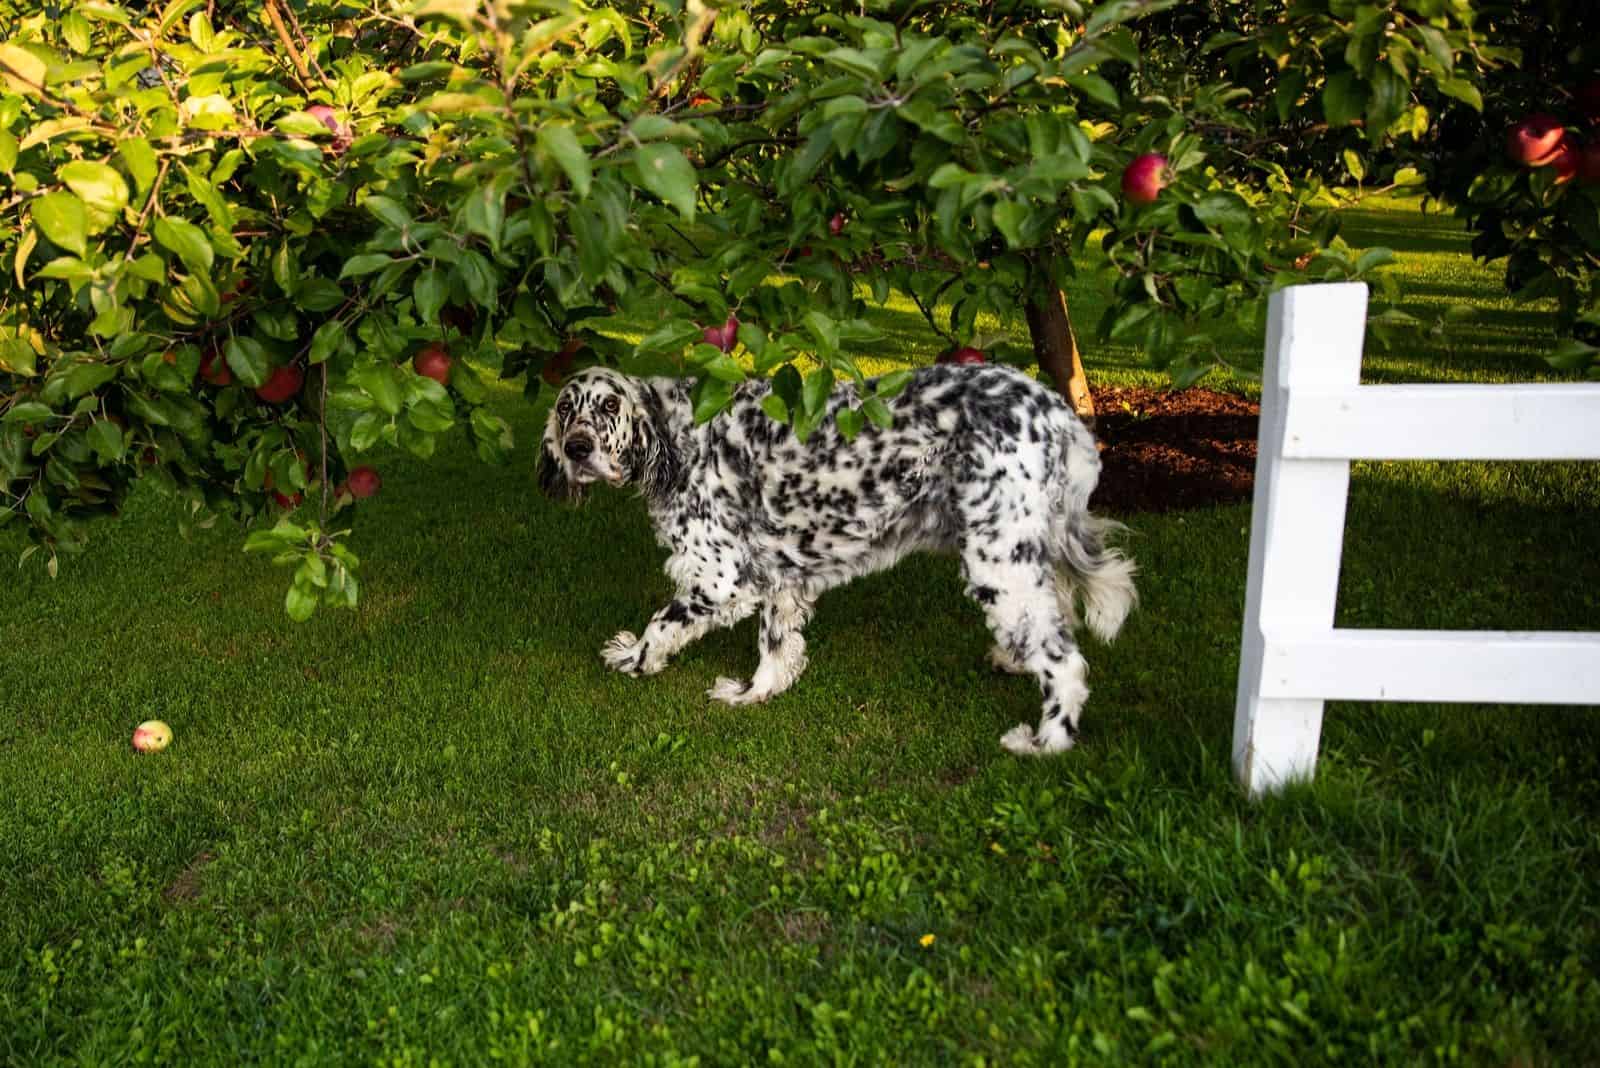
<point x="1025" y="613"/>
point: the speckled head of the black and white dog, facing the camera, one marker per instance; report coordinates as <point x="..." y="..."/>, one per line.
<point x="602" y="429"/>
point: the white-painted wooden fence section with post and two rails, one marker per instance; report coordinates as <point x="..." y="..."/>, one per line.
<point x="1316" y="418"/>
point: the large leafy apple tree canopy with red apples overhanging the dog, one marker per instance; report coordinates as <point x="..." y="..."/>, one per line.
<point x="254" y="242"/>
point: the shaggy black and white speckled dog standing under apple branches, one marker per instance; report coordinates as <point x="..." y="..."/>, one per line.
<point x="982" y="461"/>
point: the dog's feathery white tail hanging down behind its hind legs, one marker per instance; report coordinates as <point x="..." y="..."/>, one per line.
<point x="1086" y="565"/>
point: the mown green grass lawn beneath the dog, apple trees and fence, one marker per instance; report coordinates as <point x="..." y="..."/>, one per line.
<point x="436" y="831"/>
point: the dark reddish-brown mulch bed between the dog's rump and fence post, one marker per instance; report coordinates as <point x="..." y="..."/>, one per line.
<point x="1164" y="450"/>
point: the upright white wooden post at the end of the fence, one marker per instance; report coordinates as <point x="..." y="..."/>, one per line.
<point x="1297" y="527"/>
